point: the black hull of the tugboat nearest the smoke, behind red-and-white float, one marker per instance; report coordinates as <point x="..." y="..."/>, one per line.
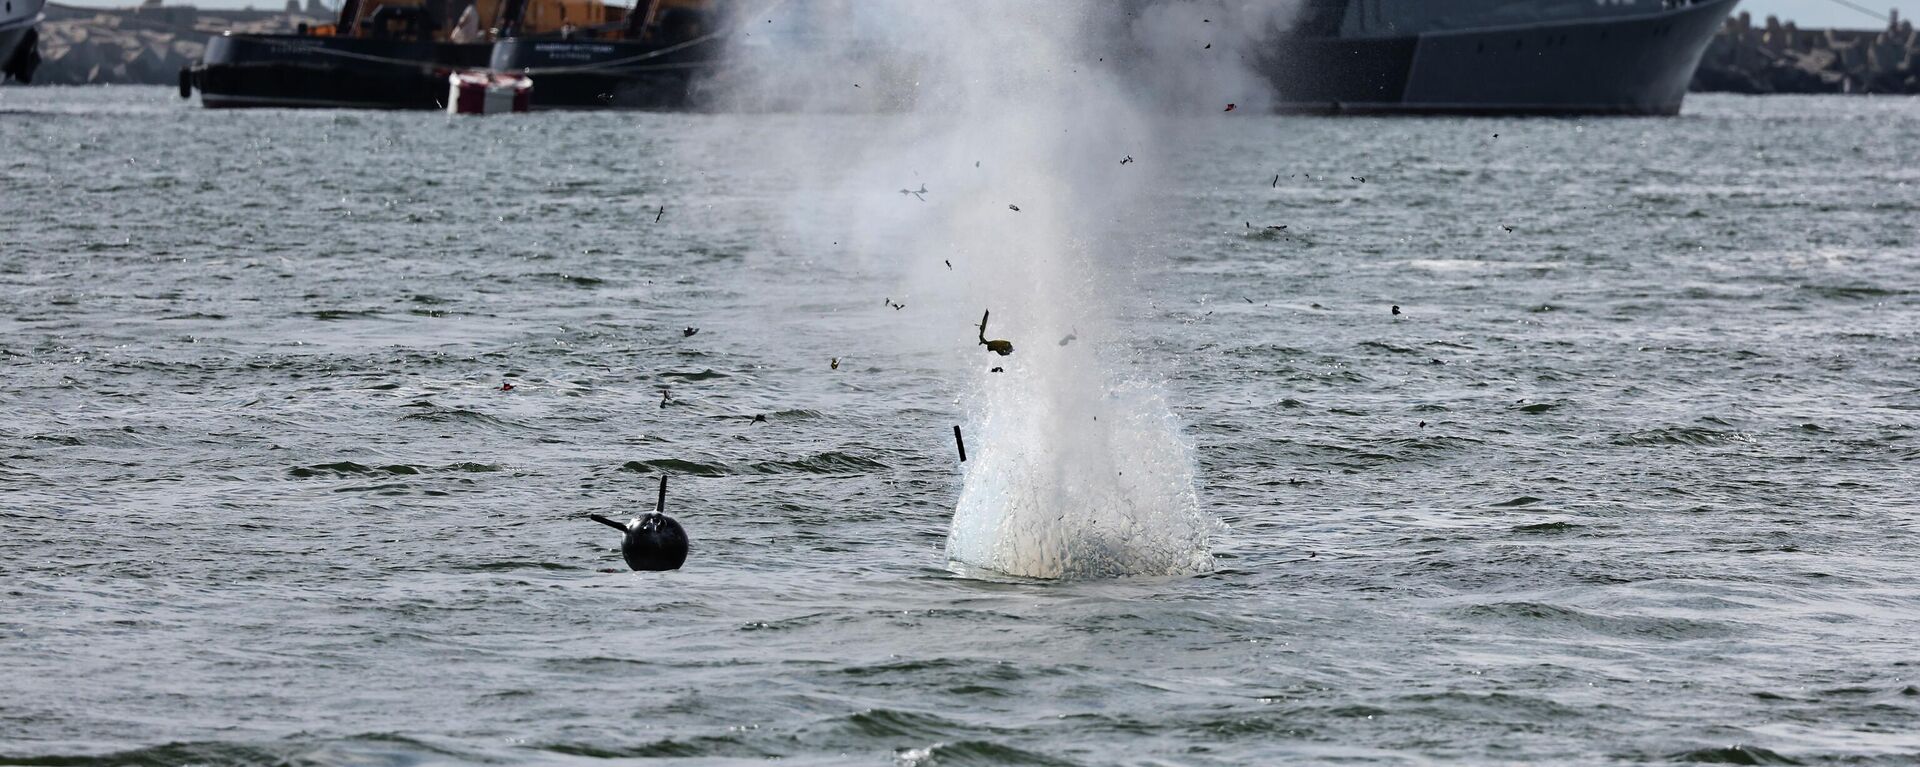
<point x="606" y="76"/>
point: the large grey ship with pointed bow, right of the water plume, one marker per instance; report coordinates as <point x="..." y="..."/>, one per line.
<point x="1489" y="57"/>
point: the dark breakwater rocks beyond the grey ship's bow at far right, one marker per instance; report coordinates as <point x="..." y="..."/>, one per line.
<point x="1785" y="59"/>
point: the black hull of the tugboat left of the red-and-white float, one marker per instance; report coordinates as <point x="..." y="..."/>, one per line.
<point x="331" y="72"/>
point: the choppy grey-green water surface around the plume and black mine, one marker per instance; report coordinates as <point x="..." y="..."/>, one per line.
<point x="262" y="499"/>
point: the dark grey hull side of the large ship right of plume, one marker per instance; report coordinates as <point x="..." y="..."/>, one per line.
<point x="1623" y="66"/>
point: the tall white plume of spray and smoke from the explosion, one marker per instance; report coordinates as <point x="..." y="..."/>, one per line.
<point x="1022" y="126"/>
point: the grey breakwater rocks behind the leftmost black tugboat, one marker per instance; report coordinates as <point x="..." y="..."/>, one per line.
<point x="145" y="45"/>
